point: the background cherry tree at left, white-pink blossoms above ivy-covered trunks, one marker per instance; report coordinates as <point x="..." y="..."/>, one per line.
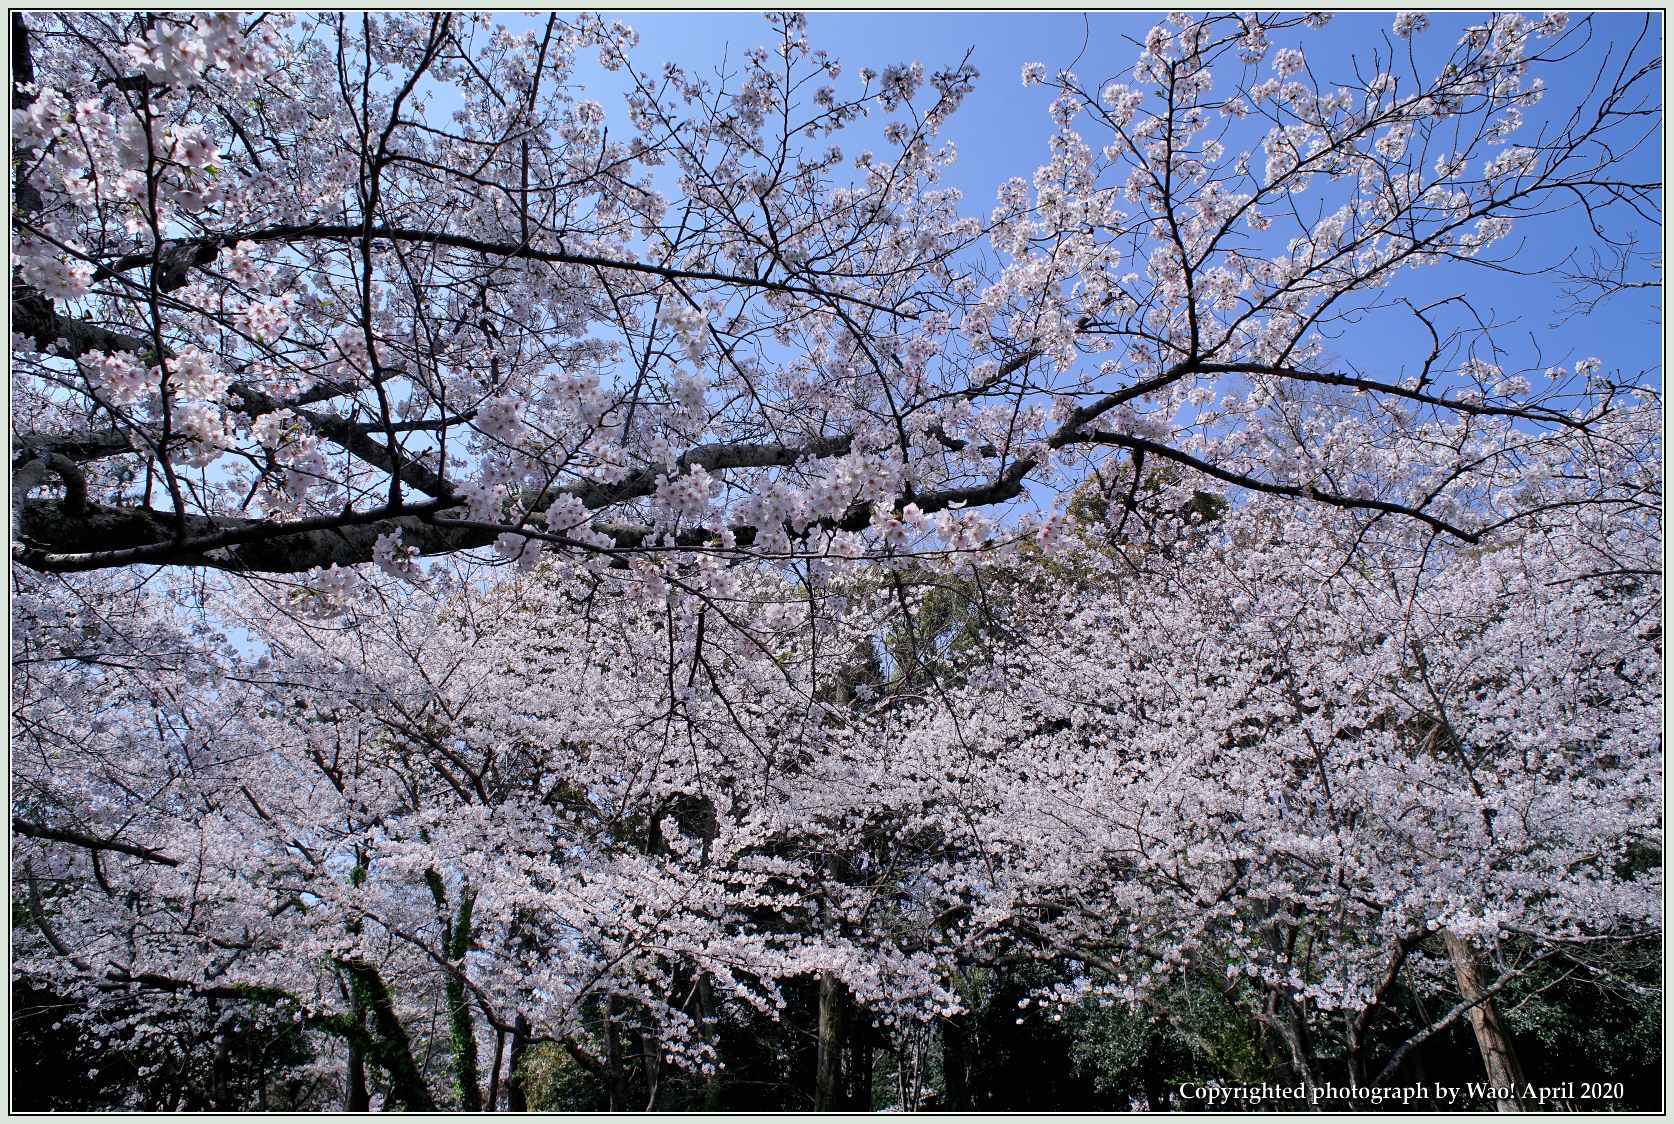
<point x="414" y="813"/>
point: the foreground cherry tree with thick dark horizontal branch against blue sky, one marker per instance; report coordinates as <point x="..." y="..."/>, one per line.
<point x="277" y="311"/>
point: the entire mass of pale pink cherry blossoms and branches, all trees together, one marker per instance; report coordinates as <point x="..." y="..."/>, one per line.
<point x="505" y="565"/>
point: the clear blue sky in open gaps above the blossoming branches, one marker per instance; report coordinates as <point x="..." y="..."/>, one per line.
<point x="1002" y="131"/>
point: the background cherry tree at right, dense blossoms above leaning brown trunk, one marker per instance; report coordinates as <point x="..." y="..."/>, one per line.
<point x="1320" y="760"/>
